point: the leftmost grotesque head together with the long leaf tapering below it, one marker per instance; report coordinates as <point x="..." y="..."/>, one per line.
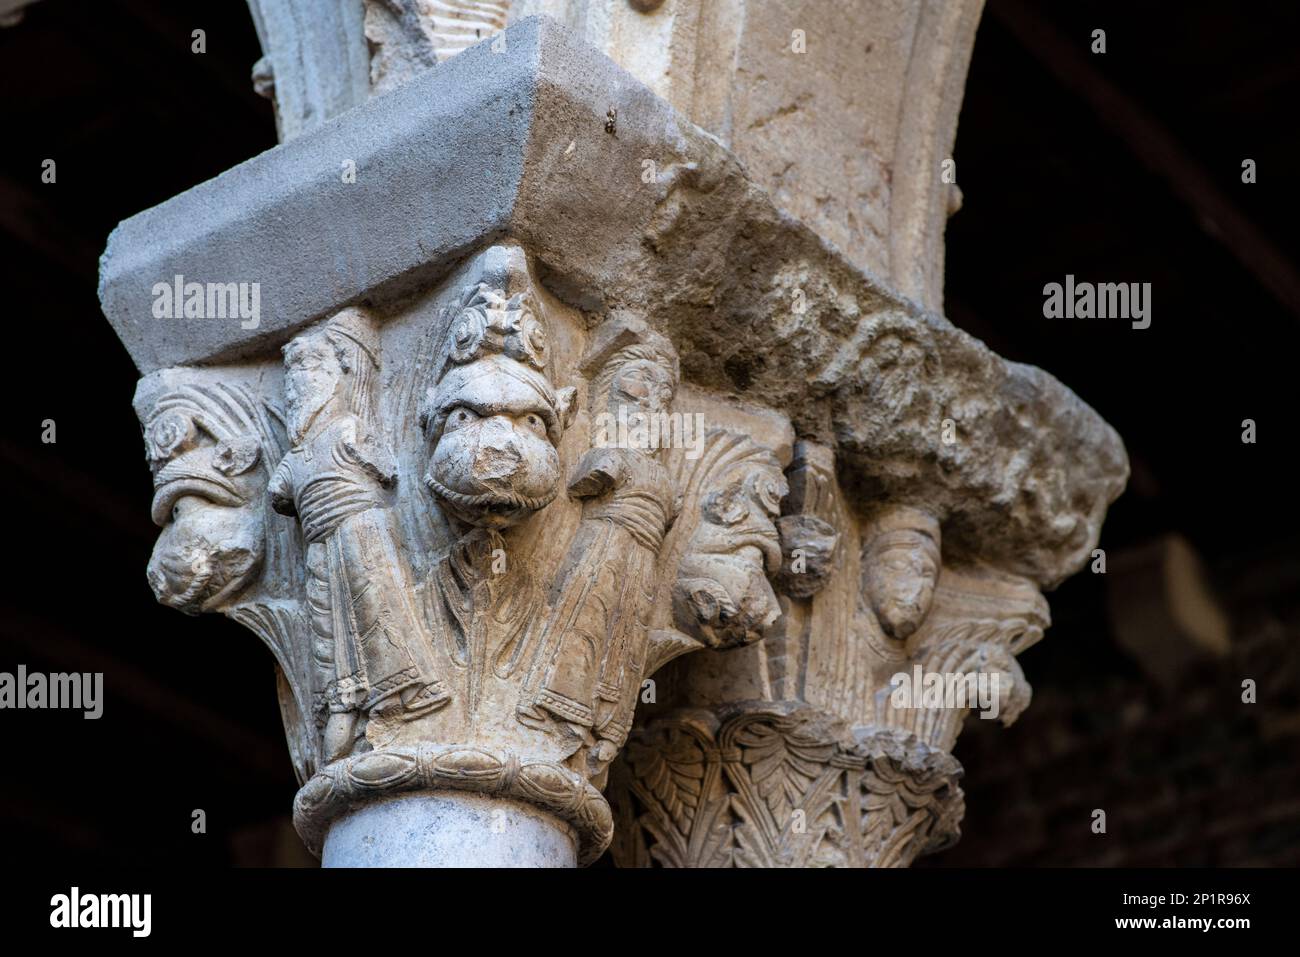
<point x="214" y="445"/>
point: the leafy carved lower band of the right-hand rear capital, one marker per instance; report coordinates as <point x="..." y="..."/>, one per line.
<point x="772" y="786"/>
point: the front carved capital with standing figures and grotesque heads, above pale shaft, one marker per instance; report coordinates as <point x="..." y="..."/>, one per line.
<point x="489" y="626"/>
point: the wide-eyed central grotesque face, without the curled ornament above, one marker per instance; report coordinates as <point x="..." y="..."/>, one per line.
<point x="495" y="460"/>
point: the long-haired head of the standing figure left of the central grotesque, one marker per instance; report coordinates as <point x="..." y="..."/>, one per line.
<point x="332" y="363"/>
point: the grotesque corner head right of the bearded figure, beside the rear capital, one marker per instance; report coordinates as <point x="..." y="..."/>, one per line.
<point x="722" y="594"/>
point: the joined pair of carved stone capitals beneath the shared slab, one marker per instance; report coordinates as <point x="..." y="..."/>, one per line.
<point x="466" y="583"/>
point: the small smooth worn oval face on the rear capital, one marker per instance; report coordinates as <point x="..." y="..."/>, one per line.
<point x="903" y="569"/>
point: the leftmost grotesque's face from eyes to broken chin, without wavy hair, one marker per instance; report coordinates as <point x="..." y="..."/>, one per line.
<point x="214" y="529"/>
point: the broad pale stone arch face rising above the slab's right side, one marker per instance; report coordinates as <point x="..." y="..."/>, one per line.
<point x="844" y="114"/>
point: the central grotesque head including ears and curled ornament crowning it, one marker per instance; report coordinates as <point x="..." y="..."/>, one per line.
<point x="495" y="419"/>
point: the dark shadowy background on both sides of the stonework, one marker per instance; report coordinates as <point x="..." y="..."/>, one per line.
<point x="1117" y="167"/>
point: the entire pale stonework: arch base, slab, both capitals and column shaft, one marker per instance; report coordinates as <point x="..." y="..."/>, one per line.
<point x="599" y="456"/>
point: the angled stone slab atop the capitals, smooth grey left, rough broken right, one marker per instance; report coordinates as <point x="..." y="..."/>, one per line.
<point x="480" y="148"/>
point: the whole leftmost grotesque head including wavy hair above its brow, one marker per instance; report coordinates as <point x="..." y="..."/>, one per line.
<point x="211" y="449"/>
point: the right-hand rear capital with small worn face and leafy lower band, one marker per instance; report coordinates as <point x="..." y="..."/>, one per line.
<point x="830" y="744"/>
